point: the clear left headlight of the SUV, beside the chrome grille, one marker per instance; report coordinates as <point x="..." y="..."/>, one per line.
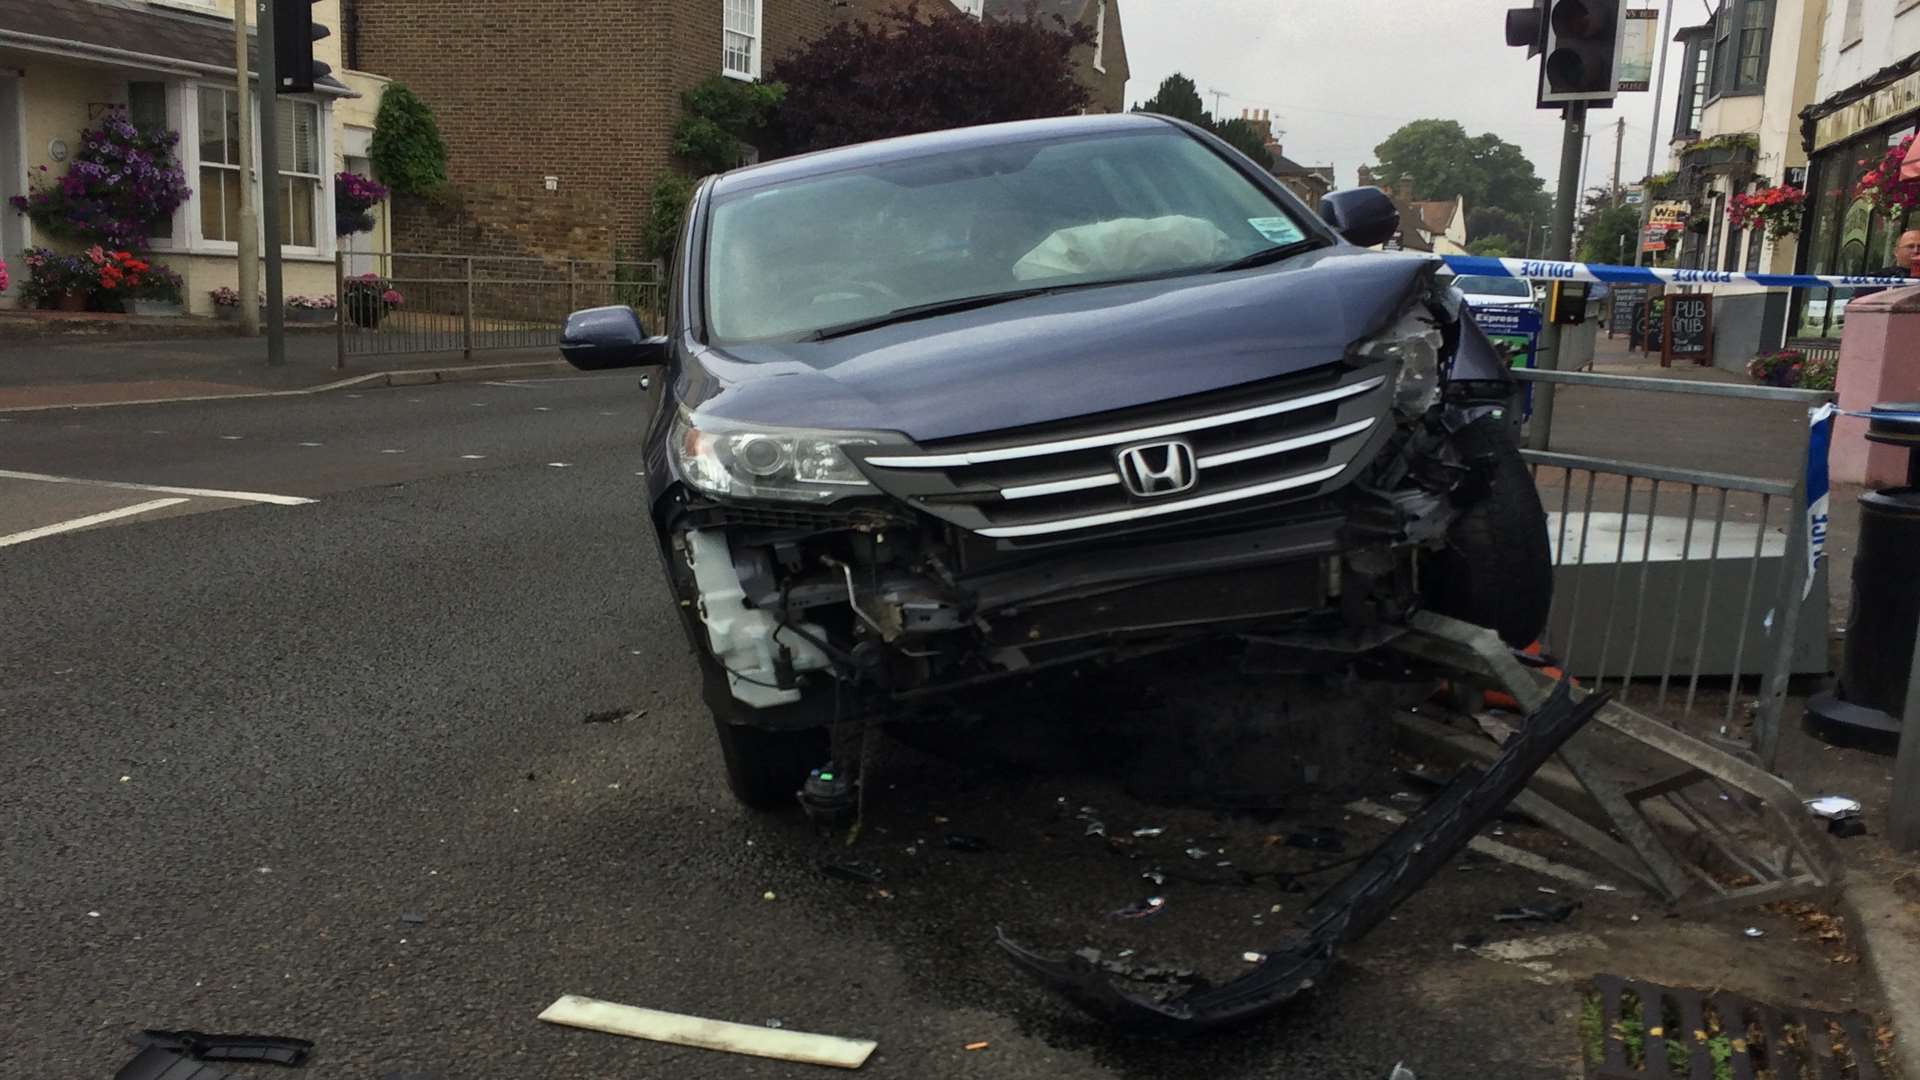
<point x="727" y="458"/>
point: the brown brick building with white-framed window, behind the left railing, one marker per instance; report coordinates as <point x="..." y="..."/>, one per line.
<point x="560" y="116"/>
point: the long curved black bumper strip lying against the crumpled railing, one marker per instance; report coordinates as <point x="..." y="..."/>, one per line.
<point x="1428" y="843"/>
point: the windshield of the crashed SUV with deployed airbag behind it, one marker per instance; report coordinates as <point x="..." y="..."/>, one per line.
<point x="986" y="222"/>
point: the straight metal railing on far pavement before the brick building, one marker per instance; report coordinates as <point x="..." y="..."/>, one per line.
<point x="429" y="303"/>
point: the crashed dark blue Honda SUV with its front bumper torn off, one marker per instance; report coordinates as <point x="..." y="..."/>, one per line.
<point x="957" y="408"/>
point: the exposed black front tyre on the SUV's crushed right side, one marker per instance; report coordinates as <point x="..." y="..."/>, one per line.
<point x="1497" y="570"/>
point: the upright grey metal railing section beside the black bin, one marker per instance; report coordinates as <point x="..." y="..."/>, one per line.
<point x="1679" y="574"/>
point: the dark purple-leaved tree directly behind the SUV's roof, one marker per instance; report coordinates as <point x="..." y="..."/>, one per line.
<point x="924" y="72"/>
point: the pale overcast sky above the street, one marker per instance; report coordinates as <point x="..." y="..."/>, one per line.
<point x="1341" y="76"/>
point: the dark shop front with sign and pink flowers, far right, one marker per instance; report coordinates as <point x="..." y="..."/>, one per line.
<point x="1850" y="232"/>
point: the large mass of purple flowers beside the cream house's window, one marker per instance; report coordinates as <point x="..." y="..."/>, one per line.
<point x="118" y="187"/>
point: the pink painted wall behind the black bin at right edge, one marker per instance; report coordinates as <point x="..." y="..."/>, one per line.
<point x="1879" y="362"/>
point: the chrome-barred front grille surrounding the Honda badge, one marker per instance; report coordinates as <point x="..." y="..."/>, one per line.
<point x="1282" y="439"/>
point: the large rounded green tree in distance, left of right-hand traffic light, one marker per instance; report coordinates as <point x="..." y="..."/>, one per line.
<point x="1445" y="160"/>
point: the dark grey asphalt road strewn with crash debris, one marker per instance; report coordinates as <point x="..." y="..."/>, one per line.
<point x="324" y="770"/>
